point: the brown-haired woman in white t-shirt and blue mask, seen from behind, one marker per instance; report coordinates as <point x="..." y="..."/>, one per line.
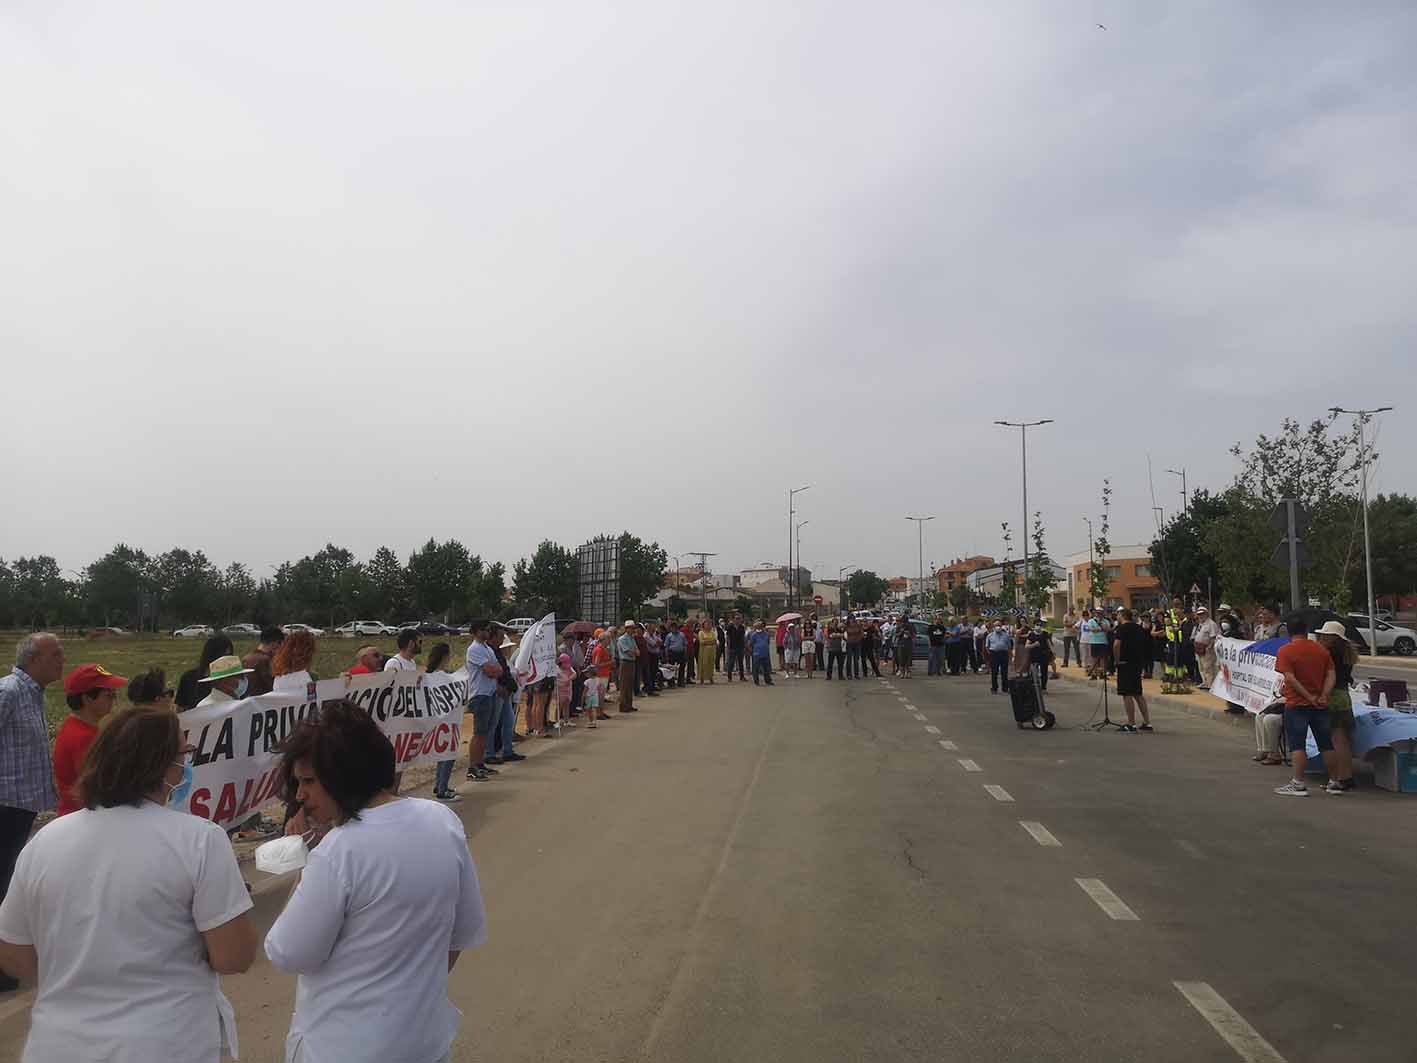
<point x="128" y="911"/>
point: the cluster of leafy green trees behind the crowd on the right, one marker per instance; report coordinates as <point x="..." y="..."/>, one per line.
<point x="1228" y="536"/>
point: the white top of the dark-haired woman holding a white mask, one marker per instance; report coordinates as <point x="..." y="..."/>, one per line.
<point x="380" y="905"/>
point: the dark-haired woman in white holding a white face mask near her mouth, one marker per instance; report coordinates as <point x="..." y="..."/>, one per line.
<point x="389" y="899"/>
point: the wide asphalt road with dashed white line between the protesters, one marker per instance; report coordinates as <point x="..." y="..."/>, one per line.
<point x="808" y="874"/>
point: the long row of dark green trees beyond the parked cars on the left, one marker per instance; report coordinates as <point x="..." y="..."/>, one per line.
<point x="132" y="589"/>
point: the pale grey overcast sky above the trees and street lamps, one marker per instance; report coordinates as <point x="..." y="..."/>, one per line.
<point x="284" y="274"/>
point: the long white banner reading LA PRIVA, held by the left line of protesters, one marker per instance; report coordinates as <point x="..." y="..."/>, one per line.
<point x="236" y="766"/>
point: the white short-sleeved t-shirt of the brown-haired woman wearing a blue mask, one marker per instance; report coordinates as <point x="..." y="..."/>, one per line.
<point x="115" y="902"/>
